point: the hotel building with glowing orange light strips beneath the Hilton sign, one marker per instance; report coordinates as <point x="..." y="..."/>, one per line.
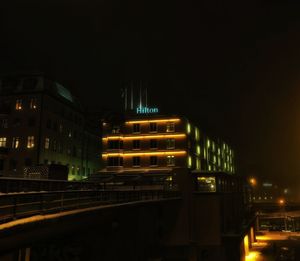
<point x="157" y="142"/>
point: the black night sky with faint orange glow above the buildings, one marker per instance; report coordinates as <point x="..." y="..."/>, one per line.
<point x="231" y="66"/>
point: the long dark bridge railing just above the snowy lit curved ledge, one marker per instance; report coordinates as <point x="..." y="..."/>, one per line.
<point x="20" y="205"/>
